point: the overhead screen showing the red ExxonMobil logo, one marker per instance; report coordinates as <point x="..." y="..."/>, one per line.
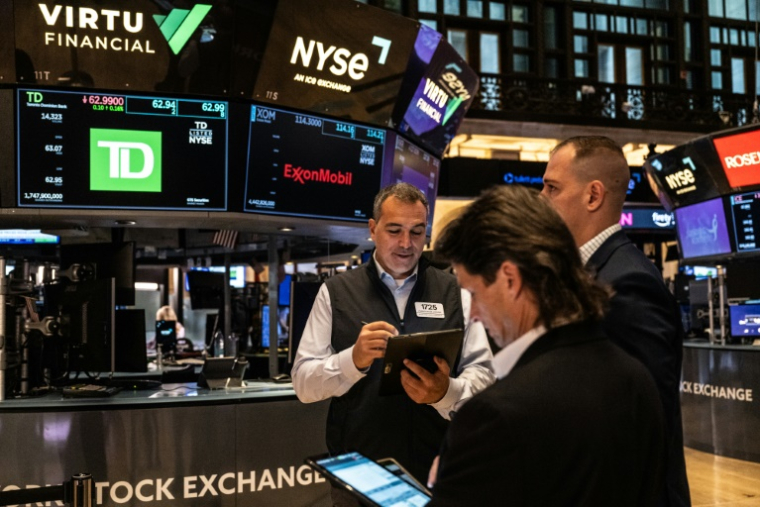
<point x="310" y="166"/>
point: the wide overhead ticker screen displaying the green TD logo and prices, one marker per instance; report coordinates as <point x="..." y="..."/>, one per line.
<point x="111" y="150"/>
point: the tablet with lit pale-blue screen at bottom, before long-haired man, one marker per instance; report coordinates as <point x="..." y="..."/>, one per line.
<point x="372" y="483"/>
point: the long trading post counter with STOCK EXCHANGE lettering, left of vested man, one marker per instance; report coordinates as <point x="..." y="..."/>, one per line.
<point x="180" y="446"/>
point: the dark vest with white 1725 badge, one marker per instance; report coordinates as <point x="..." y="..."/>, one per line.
<point x="387" y="426"/>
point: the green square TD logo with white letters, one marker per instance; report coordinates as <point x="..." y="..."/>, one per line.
<point x="125" y="160"/>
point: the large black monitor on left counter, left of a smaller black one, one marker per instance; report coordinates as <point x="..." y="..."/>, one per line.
<point x="85" y="311"/>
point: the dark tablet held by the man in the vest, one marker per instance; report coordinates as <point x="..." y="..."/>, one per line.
<point x="419" y="347"/>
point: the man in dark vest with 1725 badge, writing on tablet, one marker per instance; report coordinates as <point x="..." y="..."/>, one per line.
<point x="337" y="354"/>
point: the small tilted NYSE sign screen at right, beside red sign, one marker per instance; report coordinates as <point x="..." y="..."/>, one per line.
<point x="687" y="174"/>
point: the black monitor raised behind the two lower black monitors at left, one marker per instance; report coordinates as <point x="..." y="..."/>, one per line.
<point x="105" y="260"/>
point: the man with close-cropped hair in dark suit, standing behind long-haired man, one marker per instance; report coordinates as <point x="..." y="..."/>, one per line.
<point x="586" y="181"/>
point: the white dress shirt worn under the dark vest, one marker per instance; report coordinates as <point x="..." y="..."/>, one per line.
<point x="320" y="373"/>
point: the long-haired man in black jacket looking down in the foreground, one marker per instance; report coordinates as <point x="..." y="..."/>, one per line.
<point x="572" y="420"/>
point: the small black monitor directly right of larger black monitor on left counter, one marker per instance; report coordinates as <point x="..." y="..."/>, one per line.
<point x="131" y="348"/>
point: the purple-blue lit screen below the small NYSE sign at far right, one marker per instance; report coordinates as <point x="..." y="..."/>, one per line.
<point x="702" y="230"/>
